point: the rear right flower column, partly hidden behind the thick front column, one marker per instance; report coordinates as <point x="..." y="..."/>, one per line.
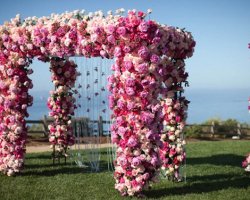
<point x="174" y="116"/>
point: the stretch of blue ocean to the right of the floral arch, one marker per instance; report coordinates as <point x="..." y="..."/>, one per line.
<point x="223" y="104"/>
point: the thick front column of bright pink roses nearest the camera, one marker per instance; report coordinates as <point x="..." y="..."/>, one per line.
<point x="135" y="107"/>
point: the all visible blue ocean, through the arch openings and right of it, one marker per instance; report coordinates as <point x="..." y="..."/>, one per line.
<point x="204" y="104"/>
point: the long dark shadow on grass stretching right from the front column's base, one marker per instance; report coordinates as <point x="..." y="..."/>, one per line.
<point x="210" y="183"/>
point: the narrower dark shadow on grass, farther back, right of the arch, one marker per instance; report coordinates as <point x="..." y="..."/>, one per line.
<point x="220" y="159"/>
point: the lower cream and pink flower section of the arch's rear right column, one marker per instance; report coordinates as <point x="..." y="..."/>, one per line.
<point x="172" y="151"/>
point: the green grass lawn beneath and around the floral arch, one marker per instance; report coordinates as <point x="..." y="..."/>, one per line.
<point x="213" y="172"/>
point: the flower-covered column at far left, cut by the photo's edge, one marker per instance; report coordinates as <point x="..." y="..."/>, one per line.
<point x="14" y="100"/>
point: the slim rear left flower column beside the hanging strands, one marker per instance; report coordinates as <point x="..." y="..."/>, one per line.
<point x="62" y="104"/>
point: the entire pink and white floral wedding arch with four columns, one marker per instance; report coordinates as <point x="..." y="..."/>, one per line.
<point x="145" y="87"/>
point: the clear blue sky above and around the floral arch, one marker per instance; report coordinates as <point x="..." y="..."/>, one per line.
<point x="220" y="27"/>
